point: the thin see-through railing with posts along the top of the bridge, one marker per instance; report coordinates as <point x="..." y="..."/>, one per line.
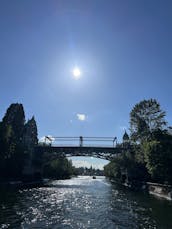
<point x="81" y="141"/>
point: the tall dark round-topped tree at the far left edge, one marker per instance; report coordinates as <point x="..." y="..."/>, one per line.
<point x="11" y="135"/>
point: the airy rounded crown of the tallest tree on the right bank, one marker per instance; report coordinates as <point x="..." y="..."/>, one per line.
<point x="145" y="118"/>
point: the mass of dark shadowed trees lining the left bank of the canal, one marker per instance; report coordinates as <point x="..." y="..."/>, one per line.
<point x="18" y="158"/>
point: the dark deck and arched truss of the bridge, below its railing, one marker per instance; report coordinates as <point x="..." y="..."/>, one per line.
<point x="107" y="153"/>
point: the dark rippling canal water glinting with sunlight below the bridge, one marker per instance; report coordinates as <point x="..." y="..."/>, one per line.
<point x="82" y="202"/>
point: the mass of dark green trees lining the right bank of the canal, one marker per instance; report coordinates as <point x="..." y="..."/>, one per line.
<point x="147" y="154"/>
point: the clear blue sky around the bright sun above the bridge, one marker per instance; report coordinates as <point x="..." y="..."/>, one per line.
<point x="123" y="49"/>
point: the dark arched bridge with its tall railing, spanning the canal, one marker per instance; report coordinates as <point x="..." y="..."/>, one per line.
<point x="100" y="147"/>
